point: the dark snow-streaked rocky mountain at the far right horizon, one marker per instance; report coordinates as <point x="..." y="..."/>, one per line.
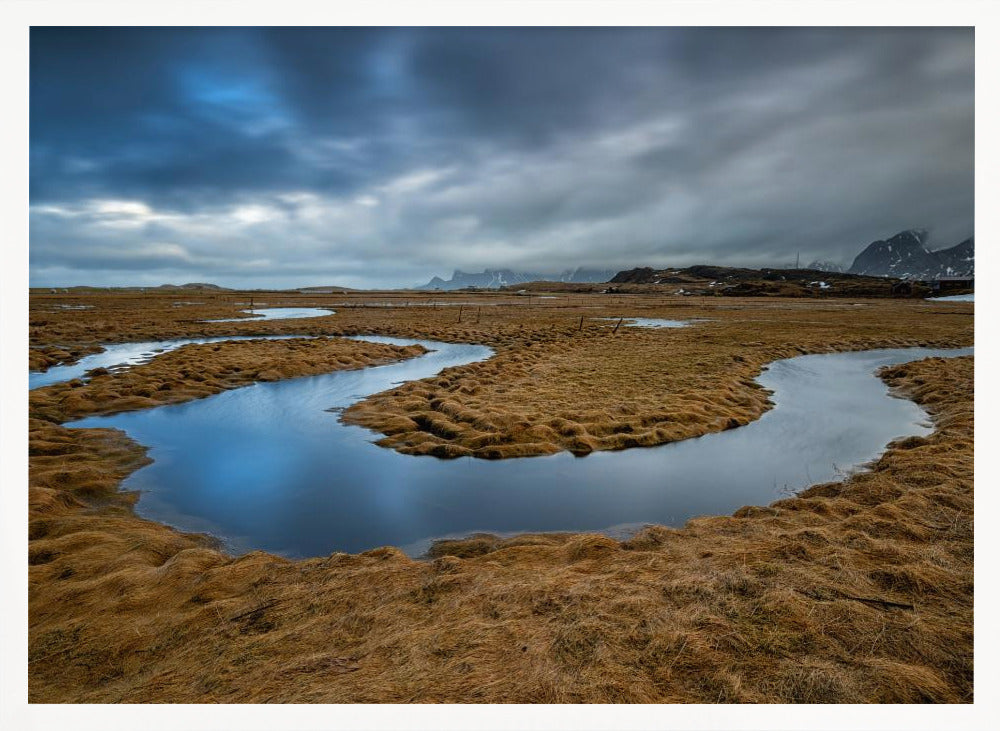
<point x="906" y="256"/>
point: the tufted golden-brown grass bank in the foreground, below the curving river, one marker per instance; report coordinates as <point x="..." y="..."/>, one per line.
<point x="857" y="592"/>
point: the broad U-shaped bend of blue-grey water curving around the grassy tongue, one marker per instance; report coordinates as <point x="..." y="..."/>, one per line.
<point x="269" y="467"/>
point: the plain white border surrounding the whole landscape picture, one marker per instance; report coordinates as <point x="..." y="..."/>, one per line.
<point x="16" y="16"/>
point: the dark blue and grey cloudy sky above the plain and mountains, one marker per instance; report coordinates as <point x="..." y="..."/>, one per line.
<point x="287" y="157"/>
